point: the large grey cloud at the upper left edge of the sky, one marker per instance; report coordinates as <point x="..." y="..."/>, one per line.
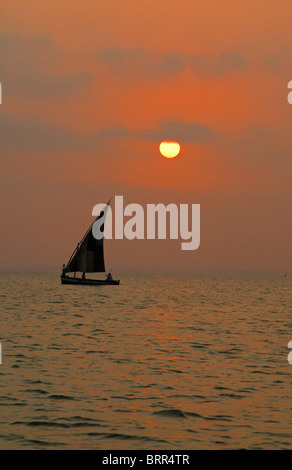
<point x="24" y="68"/>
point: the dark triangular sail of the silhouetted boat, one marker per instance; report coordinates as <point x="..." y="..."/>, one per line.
<point x="88" y="256"/>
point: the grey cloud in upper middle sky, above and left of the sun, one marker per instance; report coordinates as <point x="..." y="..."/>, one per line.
<point x="139" y="62"/>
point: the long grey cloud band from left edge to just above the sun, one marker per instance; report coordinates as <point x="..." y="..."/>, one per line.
<point x="33" y="135"/>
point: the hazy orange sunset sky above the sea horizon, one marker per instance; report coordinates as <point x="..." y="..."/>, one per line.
<point x="90" y="89"/>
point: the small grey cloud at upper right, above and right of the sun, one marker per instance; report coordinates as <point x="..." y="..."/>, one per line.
<point x="231" y="61"/>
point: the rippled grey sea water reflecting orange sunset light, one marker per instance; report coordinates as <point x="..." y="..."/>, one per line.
<point x="159" y="362"/>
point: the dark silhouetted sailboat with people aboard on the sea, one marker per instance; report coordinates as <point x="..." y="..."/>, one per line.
<point x="88" y="257"/>
